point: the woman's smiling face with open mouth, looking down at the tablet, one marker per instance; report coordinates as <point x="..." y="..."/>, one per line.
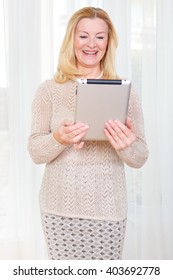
<point x="90" y="43"/>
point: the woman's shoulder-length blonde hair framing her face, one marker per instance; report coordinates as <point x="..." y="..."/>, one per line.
<point x="67" y="69"/>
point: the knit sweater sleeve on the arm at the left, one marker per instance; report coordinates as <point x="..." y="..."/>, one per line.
<point x="42" y="146"/>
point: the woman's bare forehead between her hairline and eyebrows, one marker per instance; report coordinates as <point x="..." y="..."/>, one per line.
<point x="92" y="24"/>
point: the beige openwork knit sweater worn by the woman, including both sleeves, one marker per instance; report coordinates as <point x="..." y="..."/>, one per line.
<point x="87" y="183"/>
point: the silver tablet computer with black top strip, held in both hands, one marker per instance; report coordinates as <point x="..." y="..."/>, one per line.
<point x="98" y="101"/>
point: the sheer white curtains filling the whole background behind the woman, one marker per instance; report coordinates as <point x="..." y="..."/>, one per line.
<point x="33" y="33"/>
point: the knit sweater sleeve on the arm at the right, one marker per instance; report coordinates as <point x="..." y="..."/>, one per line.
<point x="136" y="154"/>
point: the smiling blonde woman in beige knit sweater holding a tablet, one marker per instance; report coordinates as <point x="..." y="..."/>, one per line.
<point x="83" y="195"/>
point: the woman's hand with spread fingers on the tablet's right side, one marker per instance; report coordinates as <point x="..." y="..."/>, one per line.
<point x="119" y="135"/>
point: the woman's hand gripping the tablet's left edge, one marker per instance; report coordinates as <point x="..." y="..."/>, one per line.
<point x="71" y="133"/>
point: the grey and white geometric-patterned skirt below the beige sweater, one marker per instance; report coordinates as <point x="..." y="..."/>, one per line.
<point x="74" y="238"/>
